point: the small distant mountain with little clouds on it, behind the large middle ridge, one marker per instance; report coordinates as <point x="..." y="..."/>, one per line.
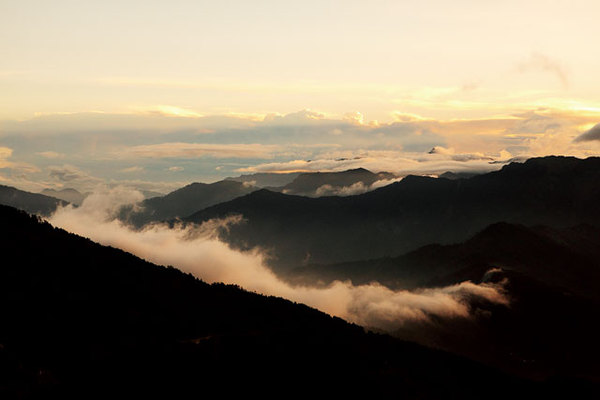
<point x="316" y="184"/>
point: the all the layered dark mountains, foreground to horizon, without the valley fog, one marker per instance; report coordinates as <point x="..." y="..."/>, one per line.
<point x="78" y="315"/>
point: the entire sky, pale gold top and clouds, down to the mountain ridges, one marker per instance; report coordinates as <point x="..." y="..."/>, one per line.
<point x="157" y="94"/>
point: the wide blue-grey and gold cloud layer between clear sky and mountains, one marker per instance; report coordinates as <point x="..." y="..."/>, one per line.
<point x="128" y="147"/>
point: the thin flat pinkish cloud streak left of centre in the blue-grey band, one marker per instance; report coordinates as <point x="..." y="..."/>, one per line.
<point x="195" y="150"/>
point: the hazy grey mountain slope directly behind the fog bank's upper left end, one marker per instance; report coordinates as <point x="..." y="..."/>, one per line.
<point x="183" y="202"/>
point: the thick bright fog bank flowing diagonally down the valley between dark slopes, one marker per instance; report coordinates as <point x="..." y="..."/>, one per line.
<point x="196" y="250"/>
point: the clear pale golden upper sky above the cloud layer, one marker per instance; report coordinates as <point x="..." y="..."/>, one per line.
<point x="439" y="59"/>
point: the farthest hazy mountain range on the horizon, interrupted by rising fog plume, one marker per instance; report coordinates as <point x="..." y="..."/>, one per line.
<point x="197" y="196"/>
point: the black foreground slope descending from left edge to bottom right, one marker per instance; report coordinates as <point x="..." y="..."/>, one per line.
<point x="82" y="320"/>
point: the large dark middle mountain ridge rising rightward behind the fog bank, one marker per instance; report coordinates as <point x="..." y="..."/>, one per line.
<point x="295" y="231"/>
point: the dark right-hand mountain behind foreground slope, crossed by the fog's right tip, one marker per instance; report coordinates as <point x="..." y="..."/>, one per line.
<point x="553" y="280"/>
